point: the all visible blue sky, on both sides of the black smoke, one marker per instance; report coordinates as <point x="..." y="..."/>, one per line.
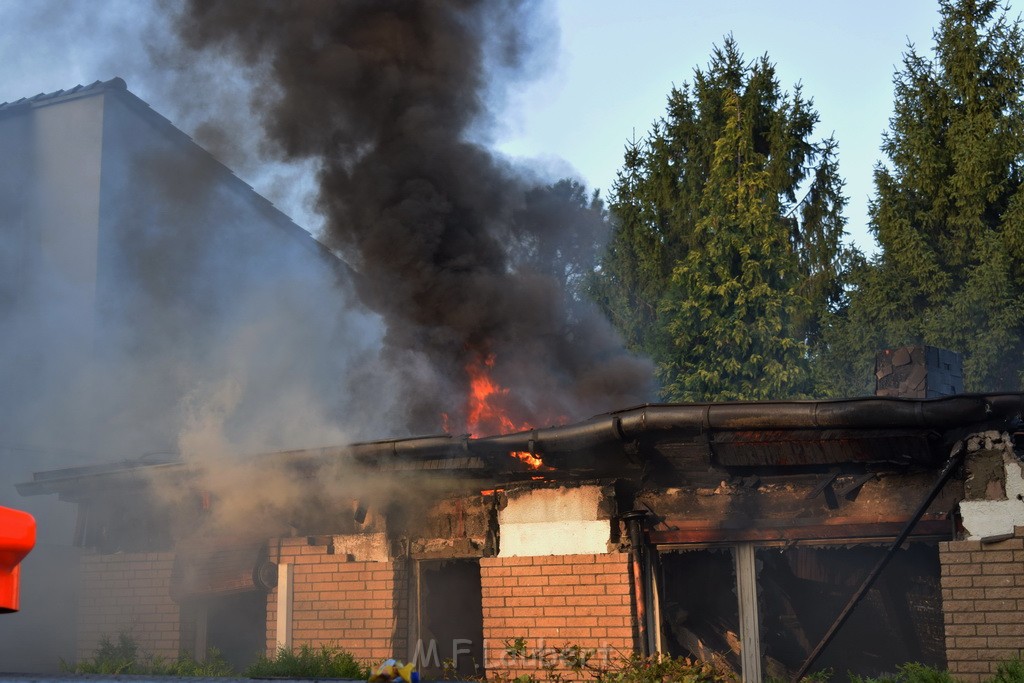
<point x="605" y="80"/>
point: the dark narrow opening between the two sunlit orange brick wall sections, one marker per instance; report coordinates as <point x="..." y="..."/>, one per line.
<point x="451" y="617"/>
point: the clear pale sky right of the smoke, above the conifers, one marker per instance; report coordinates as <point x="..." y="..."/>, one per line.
<point x="619" y="61"/>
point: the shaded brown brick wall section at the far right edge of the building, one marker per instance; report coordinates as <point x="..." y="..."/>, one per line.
<point x="984" y="604"/>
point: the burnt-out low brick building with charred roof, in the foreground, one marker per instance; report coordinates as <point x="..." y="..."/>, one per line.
<point x="736" y="533"/>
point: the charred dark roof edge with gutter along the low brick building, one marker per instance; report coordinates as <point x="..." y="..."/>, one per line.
<point x="488" y="456"/>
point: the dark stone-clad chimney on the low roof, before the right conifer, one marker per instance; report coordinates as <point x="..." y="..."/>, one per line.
<point x="918" y="372"/>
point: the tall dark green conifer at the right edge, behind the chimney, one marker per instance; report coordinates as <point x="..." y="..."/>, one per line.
<point x="949" y="211"/>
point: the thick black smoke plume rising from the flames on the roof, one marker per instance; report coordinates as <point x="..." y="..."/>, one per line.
<point x="451" y="244"/>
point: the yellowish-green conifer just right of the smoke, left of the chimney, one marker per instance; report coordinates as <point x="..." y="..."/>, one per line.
<point x="727" y="251"/>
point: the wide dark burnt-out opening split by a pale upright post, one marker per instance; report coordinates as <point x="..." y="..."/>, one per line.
<point x="801" y="591"/>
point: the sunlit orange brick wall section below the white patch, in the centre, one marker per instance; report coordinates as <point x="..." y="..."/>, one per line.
<point x="554" y="602"/>
